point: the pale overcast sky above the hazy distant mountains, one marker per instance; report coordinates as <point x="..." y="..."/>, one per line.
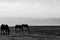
<point x="30" y="8"/>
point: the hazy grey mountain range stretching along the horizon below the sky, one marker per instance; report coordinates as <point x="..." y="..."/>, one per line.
<point x="31" y="21"/>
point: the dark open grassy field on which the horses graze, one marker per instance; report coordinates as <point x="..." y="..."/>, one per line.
<point x="35" y="33"/>
